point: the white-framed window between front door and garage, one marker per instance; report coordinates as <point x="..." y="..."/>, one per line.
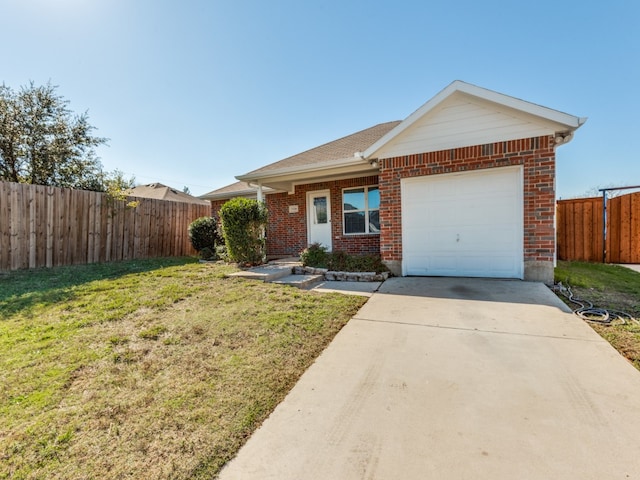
<point x="360" y="209"/>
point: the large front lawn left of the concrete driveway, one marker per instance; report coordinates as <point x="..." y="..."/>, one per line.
<point x="147" y="369"/>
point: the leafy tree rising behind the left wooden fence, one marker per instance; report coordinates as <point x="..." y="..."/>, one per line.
<point x="42" y="142"/>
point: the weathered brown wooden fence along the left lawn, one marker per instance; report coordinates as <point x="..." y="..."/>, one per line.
<point x="47" y="226"/>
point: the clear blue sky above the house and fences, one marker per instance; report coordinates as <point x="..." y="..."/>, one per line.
<point x="192" y="93"/>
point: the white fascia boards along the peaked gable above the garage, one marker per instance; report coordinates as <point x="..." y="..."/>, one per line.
<point x="570" y="121"/>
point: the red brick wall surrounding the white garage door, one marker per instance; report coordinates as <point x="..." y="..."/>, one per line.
<point x="537" y="155"/>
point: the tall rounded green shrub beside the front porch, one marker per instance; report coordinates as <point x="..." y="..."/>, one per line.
<point x="243" y="225"/>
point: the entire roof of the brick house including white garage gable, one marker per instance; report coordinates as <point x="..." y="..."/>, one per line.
<point x="460" y="115"/>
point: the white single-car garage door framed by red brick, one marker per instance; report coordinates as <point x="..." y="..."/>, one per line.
<point x="464" y="224"/>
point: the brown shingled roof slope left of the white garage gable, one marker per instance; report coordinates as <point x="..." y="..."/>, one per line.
<point x="342" y="148"/>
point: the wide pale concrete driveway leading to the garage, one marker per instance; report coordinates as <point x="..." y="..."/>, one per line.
<point x="445" y="378"/>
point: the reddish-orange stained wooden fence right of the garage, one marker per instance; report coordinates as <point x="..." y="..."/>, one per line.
<point x="580" y="234"/>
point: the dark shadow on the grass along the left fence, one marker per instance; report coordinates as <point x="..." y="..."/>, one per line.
<point x="21" y="291"/>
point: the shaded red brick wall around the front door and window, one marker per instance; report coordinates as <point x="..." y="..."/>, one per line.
<point x="287" y="232"/>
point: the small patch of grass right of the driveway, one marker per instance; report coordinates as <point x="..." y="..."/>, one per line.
<point x="612" y="287"/>
